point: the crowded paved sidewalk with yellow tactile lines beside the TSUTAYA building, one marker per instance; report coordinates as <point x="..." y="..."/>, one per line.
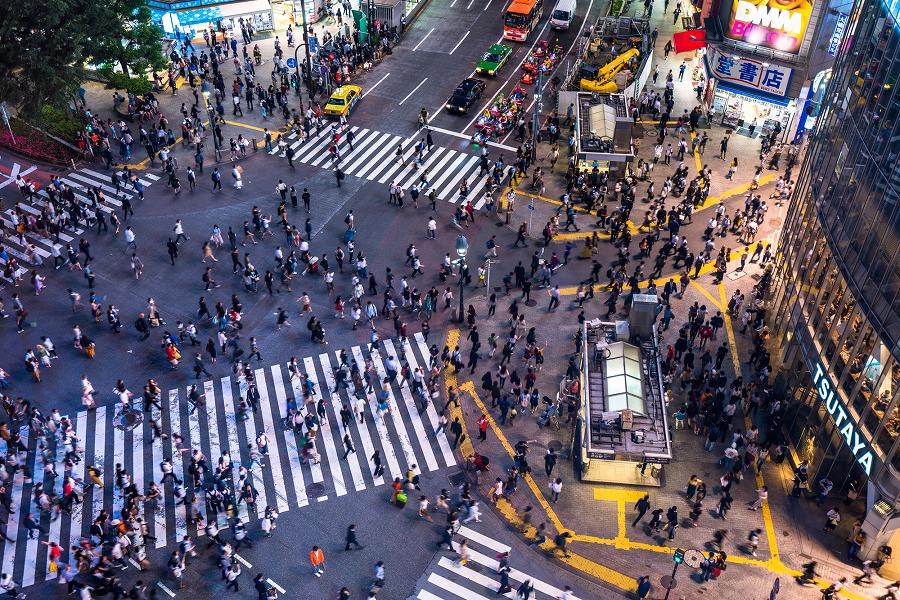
<point x="605" y="545"/>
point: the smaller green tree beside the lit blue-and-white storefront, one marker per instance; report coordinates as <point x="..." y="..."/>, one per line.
<point x="127" y="38"/>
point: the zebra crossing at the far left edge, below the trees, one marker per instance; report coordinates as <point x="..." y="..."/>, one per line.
<point x="79" y="181"/>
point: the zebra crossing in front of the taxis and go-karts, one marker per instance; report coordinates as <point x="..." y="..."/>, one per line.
<point x="374" y="158"/>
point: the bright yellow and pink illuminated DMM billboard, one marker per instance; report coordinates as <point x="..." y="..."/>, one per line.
<point x="776" y="24"/>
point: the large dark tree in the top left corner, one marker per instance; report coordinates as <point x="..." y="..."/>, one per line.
<point x="42" y="51"/>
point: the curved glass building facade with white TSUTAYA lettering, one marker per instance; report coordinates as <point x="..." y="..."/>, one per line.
<point x="836" y="297"/>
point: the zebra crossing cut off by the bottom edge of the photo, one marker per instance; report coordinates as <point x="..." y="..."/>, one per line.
<point x="478" y="579"/>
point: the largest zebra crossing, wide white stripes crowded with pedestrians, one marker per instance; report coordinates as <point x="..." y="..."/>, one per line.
<point x="405" y="436"/>
